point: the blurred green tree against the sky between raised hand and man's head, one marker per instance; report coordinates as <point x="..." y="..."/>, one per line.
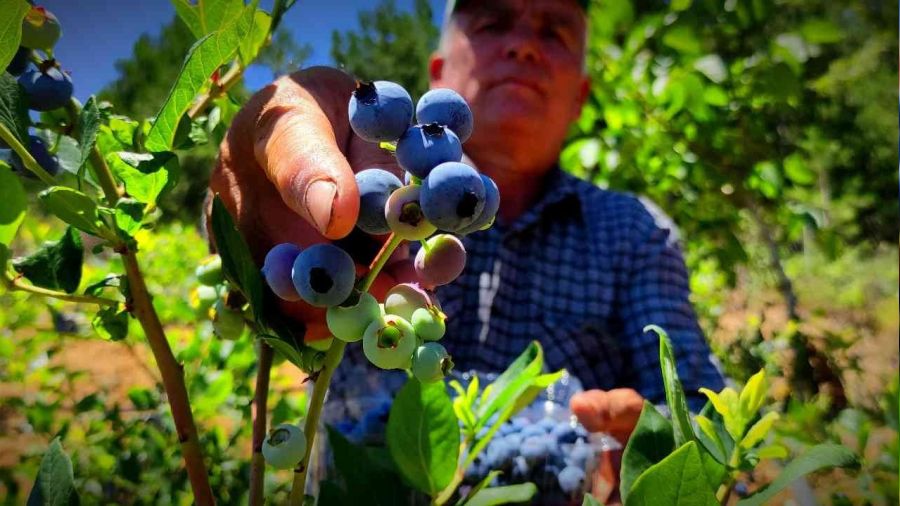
<point x="389" y="45"/>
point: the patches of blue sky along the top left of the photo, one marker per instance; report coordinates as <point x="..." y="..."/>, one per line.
<point x="96" y="33"/>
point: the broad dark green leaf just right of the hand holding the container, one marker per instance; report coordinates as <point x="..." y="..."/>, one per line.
<point x="651" y="442"/>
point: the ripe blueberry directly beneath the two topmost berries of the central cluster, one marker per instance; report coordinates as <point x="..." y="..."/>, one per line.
<point x="423" y="147"/>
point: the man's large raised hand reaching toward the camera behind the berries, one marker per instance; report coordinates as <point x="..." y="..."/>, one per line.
<point x="286" y="173"/>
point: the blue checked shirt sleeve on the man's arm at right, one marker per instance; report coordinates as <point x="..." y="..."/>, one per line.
<point x="656" y="291"/>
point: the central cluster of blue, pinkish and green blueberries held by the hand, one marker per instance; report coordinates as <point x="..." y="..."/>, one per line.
<point x="440" y="192"/>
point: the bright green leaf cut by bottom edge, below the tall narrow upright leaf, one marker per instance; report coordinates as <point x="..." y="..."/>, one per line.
<point x="677" y="480"/>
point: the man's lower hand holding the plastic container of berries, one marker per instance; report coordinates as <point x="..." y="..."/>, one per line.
<point x="615" y="412"/>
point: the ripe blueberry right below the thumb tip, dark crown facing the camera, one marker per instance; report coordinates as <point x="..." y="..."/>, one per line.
<point x="323" y="275"/>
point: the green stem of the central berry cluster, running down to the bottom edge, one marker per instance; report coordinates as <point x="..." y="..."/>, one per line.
<point x="320" y="386"/>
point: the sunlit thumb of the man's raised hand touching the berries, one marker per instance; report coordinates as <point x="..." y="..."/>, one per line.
<point x="299" y="141"/>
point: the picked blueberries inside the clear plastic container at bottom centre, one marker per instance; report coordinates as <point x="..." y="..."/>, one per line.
<point x="553" y="454"/>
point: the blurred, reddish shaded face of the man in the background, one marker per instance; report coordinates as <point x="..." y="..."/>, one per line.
<point x="519" y="65"/>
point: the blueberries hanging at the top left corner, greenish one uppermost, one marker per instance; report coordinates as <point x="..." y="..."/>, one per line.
<point x="45" y="86"/>
